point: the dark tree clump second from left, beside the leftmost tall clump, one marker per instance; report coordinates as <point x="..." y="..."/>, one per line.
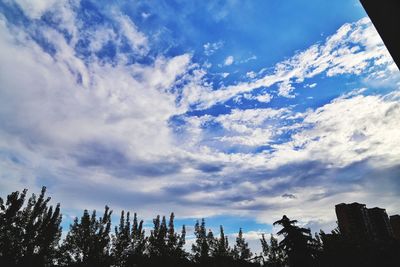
<point x="88" y="241"/>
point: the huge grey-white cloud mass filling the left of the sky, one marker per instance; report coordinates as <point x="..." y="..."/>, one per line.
<point x="59" y="119"/>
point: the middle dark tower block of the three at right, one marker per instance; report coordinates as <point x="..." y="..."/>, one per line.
<point x="381" y="229"/>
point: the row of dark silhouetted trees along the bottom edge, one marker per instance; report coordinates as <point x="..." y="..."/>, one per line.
<point x="30" y="235"/>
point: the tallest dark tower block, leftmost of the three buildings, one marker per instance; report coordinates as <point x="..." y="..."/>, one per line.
<point x="353" y="221"/>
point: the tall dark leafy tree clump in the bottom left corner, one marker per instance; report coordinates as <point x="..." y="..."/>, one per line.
<point x="29" y="237"/>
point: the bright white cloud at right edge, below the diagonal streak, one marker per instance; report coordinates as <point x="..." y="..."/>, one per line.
<point x="331" y="135"/>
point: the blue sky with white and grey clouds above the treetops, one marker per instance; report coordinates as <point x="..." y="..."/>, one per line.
<point x="234" y="111"/>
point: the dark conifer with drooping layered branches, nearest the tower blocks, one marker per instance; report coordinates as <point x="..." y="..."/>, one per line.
<point x="296" y="242"/>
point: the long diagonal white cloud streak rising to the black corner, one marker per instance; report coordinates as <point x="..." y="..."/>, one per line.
<point x="355" y="48"/>
